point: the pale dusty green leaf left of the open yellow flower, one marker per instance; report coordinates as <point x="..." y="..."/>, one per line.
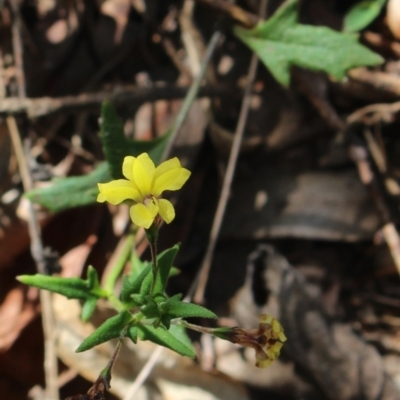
<point x="71" y="192"/>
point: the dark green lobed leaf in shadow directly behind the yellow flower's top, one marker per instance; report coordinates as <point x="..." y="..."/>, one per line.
<point x="116" y="146"/>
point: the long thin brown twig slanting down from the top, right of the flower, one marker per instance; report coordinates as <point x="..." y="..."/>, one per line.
<point x="202" y="277"/>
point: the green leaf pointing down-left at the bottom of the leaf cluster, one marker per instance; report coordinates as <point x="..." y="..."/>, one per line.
<point x="110" y="329"/>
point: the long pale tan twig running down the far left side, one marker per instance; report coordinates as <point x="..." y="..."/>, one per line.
<point x="50" y="354"/>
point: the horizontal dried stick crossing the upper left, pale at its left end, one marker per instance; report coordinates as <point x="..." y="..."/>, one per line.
<point x="47" y="105"/>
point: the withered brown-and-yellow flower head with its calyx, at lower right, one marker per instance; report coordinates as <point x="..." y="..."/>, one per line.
<point x="267" y="340"/>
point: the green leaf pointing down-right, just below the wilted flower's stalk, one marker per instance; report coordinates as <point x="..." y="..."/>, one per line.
<point x="164" y="338"/>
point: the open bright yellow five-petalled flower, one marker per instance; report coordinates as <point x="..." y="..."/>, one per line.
<point x="144" y="185"/>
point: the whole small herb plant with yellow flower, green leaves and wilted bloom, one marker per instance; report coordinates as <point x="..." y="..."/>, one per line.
<point x="144" y="311"/>
